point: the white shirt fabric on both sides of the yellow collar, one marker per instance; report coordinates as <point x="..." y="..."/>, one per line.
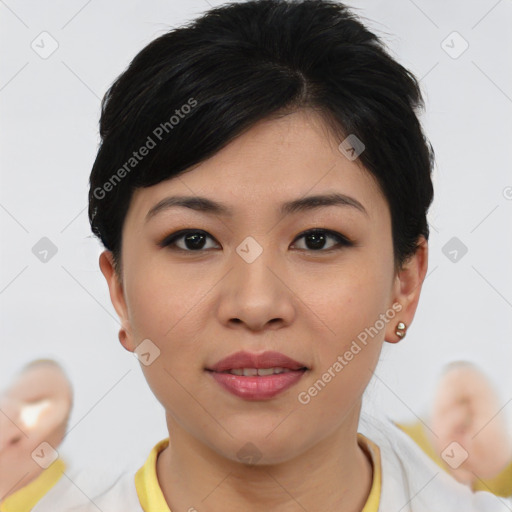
<point x="411" y="482"/>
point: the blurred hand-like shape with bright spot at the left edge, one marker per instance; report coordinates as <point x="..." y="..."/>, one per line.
<point x="42" y="384"/>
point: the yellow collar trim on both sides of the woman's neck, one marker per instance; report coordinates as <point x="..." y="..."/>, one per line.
<point x="152" y="498"/>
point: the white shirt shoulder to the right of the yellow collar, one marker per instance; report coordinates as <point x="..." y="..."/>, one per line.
<point x="412" y="482"/>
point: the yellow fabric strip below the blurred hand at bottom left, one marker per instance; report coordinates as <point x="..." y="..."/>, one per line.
<point x="25" y="499"/>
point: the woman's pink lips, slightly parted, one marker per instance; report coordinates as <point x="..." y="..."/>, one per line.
<point x="257" y="387"/>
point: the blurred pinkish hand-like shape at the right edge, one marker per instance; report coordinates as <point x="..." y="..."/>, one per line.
<point x="464" y="410"/>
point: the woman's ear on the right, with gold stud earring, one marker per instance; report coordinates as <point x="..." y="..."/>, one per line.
<point x="407" y="289"/>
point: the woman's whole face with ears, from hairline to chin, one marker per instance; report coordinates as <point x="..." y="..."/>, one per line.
<point x="255" y="281"/>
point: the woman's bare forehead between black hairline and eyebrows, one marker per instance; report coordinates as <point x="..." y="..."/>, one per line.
<point x="274" y="161"/>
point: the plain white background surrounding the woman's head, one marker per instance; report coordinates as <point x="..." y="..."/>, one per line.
<point x="49" y="111"/>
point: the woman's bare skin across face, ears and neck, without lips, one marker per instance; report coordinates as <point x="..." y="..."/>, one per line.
<point x="197" y="308"/>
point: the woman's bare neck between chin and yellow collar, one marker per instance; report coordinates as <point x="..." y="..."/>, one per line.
<point x="333" y="475"/>
